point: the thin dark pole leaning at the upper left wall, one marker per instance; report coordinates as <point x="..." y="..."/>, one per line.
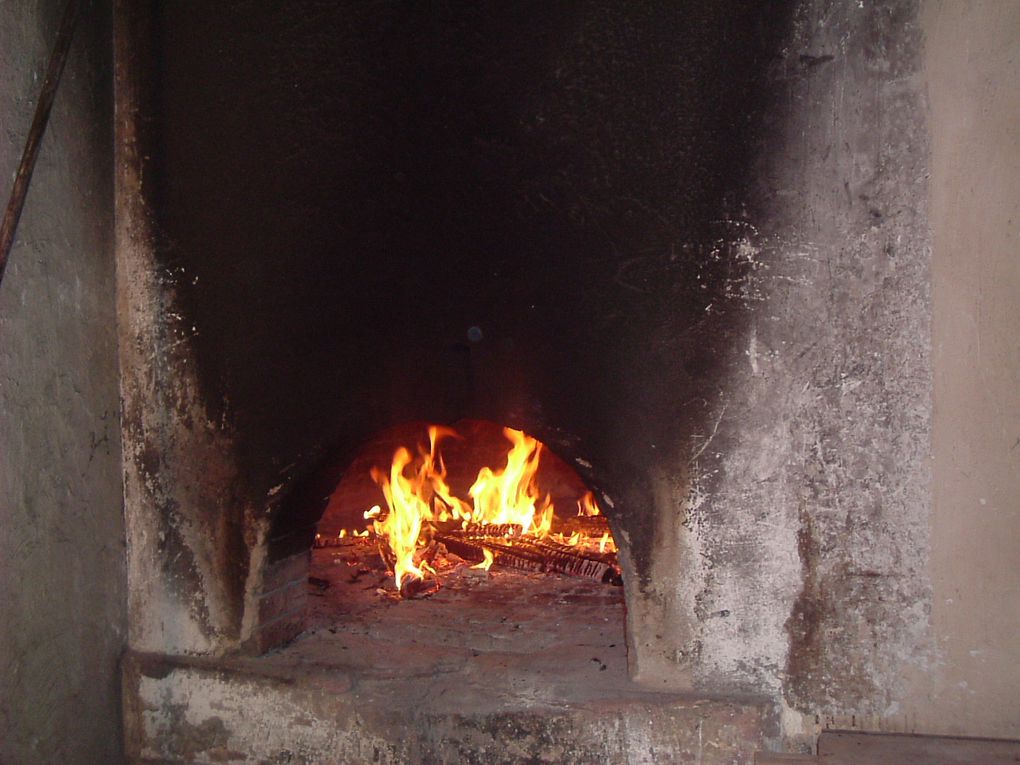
<point x="21" y="189"/>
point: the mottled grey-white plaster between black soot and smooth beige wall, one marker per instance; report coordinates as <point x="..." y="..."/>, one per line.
<point x="800" y="569"/>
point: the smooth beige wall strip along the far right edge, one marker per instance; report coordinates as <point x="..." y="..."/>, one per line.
<point x="973" y="71"/>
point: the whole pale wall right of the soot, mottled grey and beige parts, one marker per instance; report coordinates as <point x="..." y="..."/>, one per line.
<point x="851" y="523"/>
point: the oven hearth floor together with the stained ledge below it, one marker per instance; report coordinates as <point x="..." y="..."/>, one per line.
<point x="501" y="669"/>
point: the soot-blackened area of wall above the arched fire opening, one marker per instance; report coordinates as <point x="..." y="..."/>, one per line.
<point x="375" y="214"/>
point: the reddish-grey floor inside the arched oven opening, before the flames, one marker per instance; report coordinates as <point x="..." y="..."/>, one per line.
<point x="485" y="641"/>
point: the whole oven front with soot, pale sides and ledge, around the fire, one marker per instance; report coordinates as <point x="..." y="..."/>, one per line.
<point x="684" y="245"/>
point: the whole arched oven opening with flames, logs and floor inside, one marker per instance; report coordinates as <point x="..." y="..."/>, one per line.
<point x="473" y="545"/>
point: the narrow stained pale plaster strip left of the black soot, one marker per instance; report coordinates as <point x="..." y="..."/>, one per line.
<point x="190" y="536"/>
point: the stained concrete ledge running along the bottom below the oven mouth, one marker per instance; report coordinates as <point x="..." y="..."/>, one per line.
<point x="184" y="709"/>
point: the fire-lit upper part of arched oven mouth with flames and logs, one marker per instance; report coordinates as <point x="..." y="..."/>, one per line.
<point x="431" y="503"/>
